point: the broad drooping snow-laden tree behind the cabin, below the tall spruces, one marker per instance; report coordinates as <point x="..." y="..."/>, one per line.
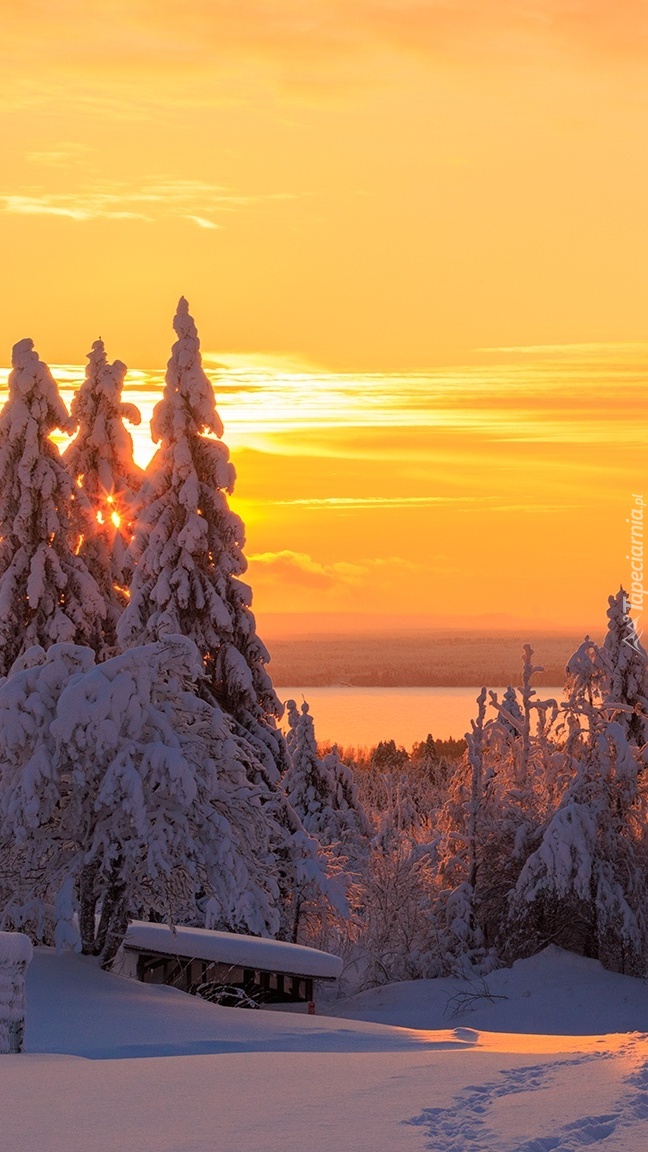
<point x="119" y="777"/>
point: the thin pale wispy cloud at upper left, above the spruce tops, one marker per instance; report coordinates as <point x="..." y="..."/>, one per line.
<point x="159" y="200"/>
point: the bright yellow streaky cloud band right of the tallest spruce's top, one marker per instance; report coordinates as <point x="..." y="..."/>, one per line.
<point x="537" y="399"/>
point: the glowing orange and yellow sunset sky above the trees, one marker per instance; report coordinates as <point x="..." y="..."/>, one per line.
<point x="413" y="233"/>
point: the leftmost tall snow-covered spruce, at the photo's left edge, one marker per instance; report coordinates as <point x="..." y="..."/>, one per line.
<point x="47" y="593"/>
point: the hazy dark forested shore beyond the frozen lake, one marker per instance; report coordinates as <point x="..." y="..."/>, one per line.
<point x="431" y="660"/>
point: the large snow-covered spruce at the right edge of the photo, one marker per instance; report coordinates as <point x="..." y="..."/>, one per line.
<point x="585" y="884"/>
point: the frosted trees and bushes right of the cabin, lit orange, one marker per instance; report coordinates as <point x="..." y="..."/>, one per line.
<point x="537" y="836"/>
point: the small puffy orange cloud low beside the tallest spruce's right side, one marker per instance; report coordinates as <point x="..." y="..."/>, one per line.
<point x="300" y="569"/>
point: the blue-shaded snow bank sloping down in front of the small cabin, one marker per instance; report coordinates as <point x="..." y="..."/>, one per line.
<point x="74" y="1009"/>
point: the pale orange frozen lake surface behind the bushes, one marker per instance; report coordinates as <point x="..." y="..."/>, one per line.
<point x="366" y="716"/>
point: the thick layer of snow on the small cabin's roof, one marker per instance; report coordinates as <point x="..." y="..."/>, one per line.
<point x="230" y="949"/>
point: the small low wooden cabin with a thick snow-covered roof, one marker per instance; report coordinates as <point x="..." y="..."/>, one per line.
<point x="186" y="958"/>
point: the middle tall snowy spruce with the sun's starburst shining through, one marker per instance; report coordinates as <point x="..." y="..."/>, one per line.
<point x="101" y="461"/>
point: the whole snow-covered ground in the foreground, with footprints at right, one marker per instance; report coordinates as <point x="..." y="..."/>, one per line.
<point x="120" y="1067"/>
